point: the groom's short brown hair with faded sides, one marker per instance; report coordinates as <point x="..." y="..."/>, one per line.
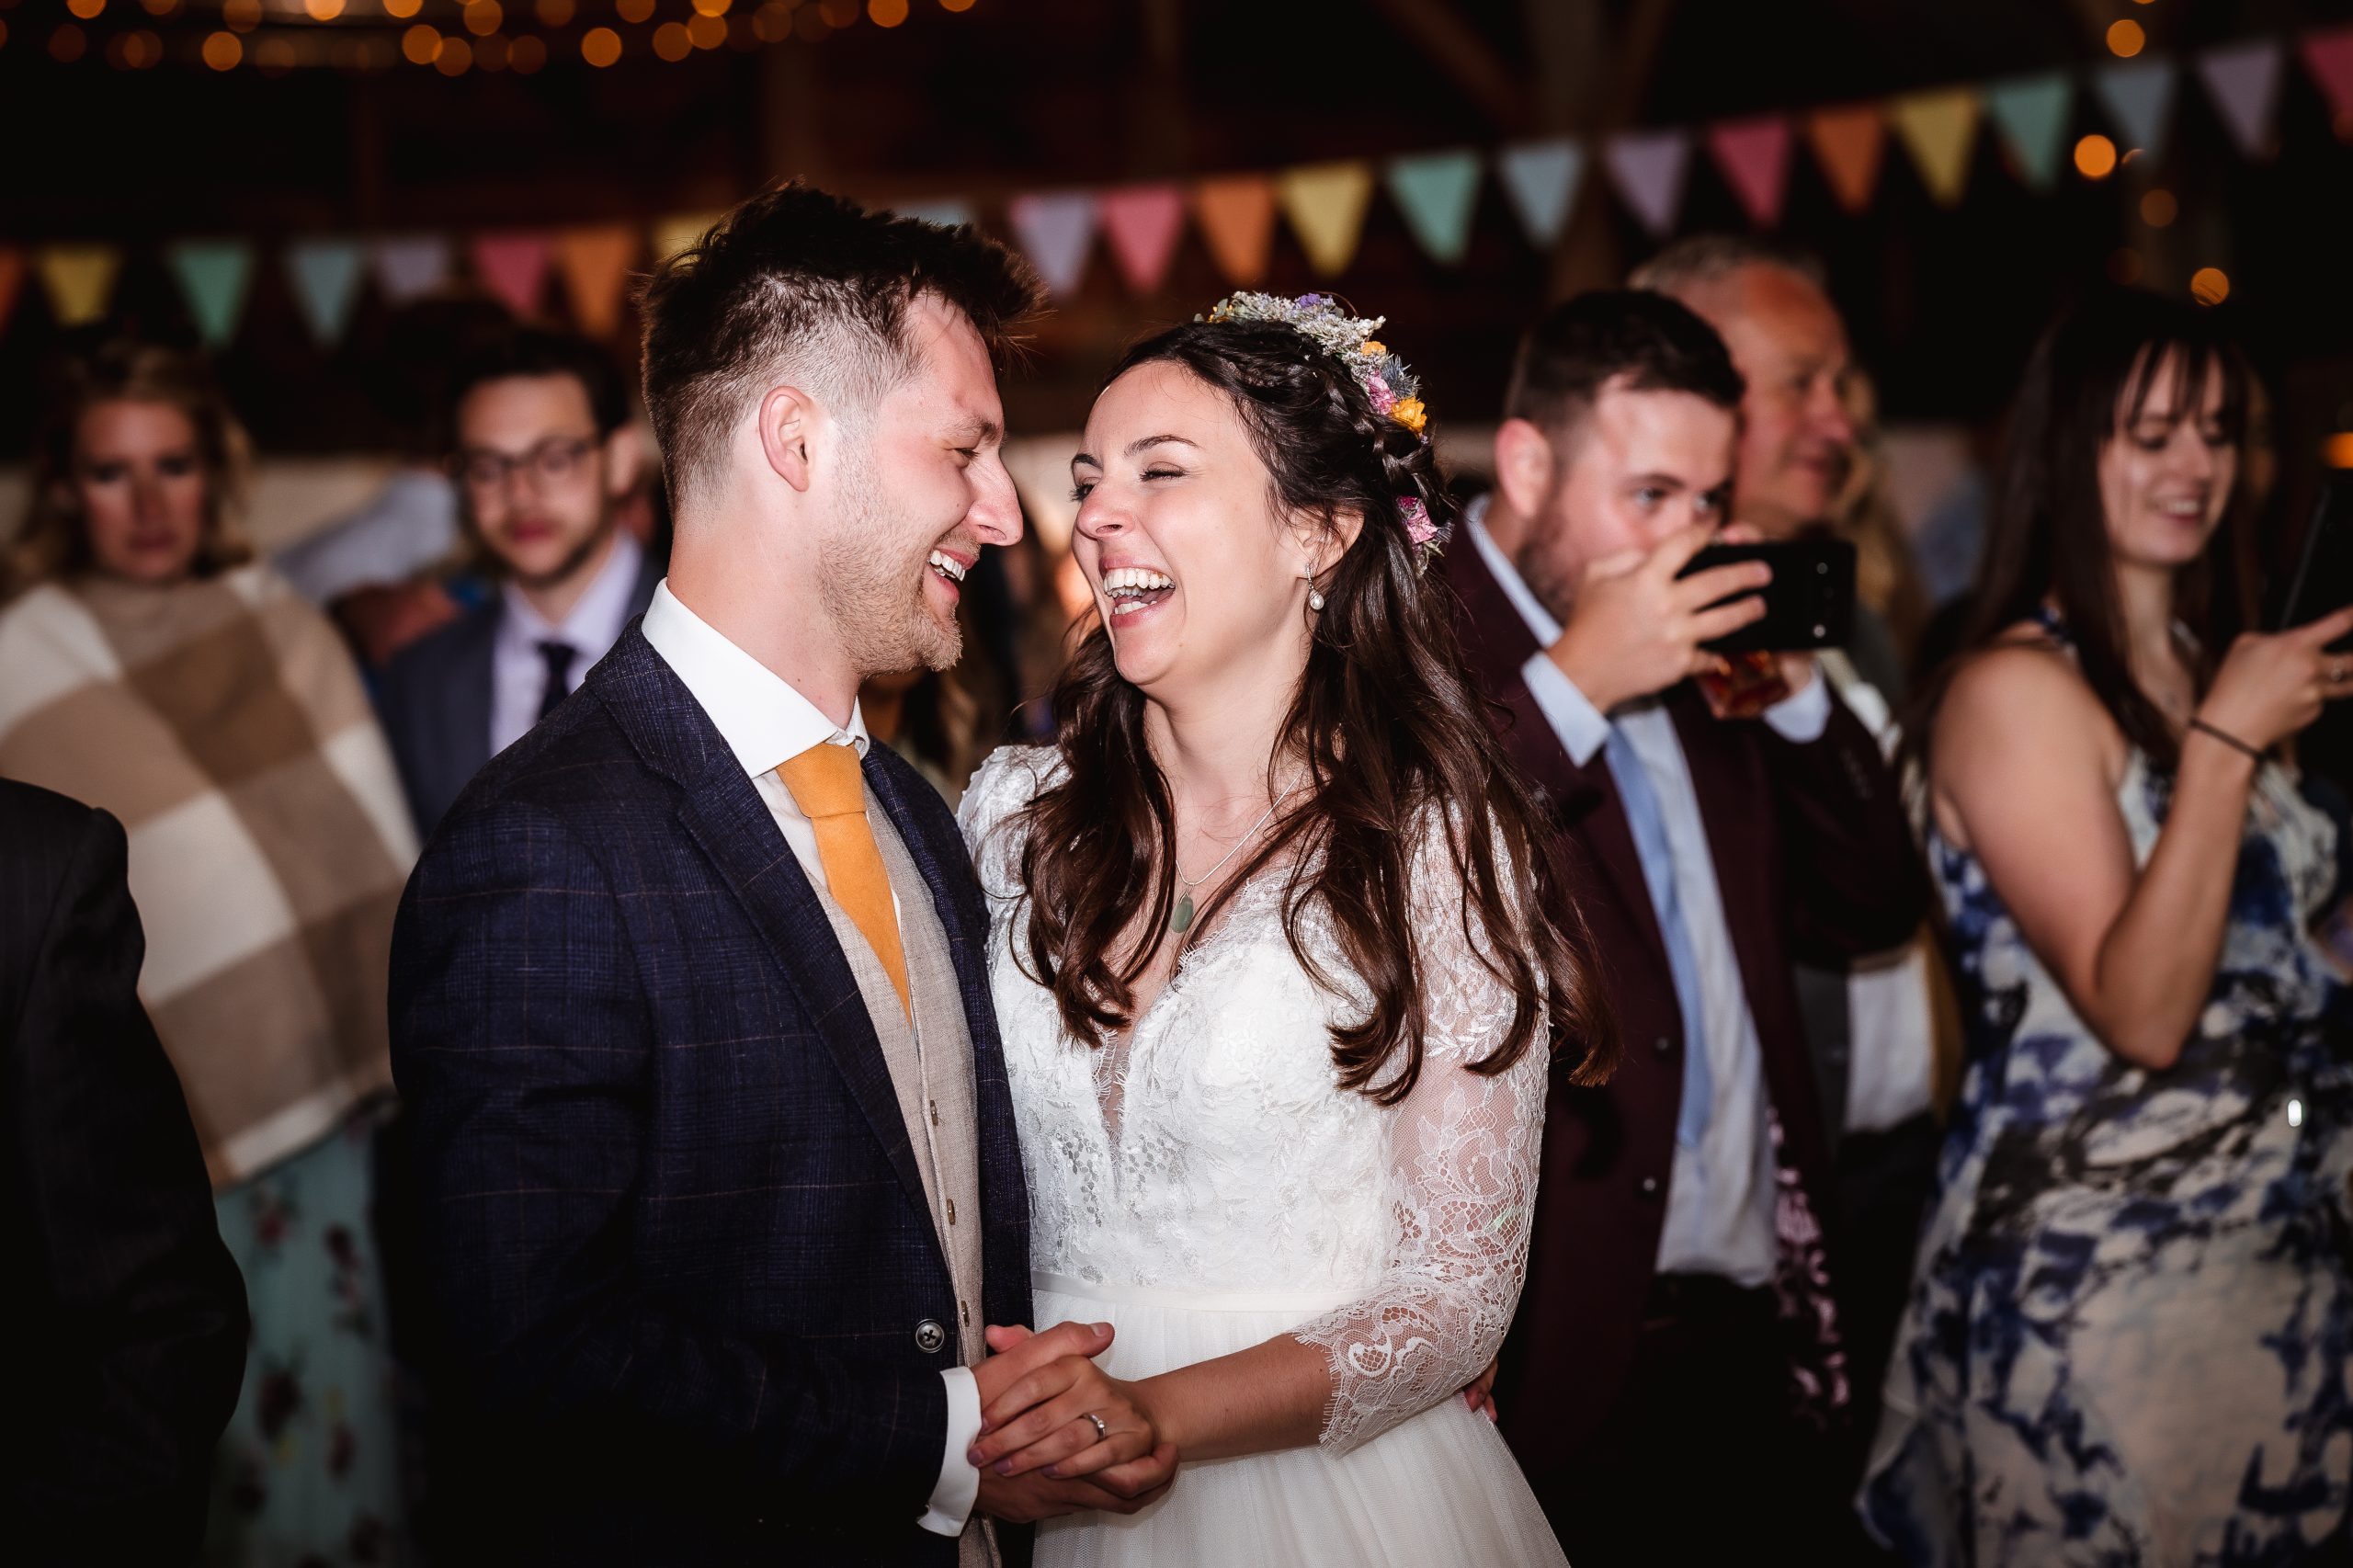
<point x="815" y="288"/>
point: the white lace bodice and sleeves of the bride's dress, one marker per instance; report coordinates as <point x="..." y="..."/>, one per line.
<point x="1239" y="1162"/>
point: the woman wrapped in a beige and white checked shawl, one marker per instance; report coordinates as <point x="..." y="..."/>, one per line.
<point x="161" y="675"/>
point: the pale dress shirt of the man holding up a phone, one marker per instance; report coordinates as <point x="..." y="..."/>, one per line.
<point x="1721" y="1195"/>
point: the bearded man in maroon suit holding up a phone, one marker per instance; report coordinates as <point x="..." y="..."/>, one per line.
<point x="1677" y="1320"/>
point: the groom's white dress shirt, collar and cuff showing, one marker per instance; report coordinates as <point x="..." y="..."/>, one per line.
<point x="766" y="724"/>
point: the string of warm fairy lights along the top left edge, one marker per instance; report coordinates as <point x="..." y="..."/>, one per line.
<point x="446" y="36"/>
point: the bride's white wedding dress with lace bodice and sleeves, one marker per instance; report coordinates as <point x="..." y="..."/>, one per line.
<point x="1208" y="1185"/>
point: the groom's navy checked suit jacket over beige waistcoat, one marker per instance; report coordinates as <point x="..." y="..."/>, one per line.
<point x="676" y="1230"/>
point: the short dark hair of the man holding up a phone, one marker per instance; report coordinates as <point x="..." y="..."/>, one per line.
<point x="1629" y="338"/>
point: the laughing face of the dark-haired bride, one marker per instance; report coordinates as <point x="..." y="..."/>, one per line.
<point x="1192" y="564"/>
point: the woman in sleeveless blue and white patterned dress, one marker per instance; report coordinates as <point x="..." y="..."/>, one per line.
<point x="2128" y="1336"/>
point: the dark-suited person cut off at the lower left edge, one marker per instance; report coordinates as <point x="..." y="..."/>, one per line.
<point x="124" y="1315"/>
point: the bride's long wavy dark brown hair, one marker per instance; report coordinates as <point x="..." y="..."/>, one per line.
<point x="1392" y="738"/>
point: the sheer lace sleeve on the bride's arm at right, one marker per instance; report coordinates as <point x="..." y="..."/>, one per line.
<point x="1462" y="1181"/>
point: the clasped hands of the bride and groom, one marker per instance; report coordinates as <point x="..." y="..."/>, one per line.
<point x="1044" y="1423"/>
